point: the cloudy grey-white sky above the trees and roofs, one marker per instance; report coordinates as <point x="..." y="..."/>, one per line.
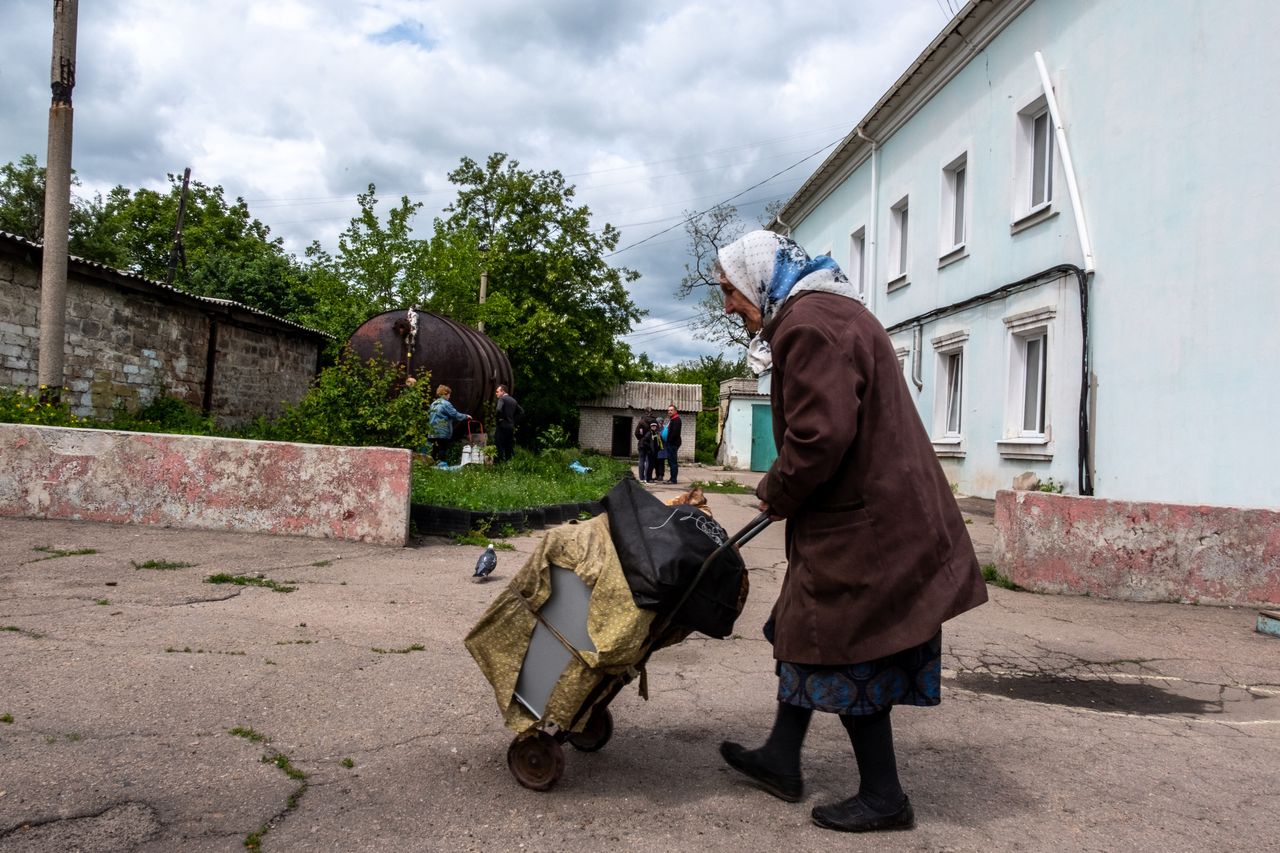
<point x="651" y="108"/>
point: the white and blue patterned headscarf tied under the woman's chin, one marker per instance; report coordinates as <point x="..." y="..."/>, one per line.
<point x="769" y="270"/>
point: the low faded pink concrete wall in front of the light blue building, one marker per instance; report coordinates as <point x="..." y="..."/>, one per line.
<point x="1139" y="551"/>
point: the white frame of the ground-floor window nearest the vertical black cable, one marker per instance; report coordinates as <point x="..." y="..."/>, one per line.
<point x="1020" y="443"/>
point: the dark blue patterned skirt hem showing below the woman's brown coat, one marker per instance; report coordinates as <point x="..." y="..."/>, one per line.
<point x="911" y="677"/>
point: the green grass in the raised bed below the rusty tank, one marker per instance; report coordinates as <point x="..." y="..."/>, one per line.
<point x="529" y="480"/>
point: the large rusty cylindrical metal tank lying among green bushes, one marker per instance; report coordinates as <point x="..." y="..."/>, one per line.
<point x="458" y="355"/>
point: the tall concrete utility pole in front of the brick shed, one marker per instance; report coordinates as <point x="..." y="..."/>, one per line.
<point x="58" y="198"/>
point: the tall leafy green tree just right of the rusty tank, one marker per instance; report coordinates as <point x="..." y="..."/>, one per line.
<point x="555" y="305"/>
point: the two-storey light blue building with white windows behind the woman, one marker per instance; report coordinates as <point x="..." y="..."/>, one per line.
<point x="1063" y="215"/>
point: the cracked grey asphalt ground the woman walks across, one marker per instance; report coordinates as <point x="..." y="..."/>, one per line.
<point x="1067" y="724"/>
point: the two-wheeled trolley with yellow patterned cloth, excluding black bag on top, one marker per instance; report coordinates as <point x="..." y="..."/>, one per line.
<point x="588" y="641"/>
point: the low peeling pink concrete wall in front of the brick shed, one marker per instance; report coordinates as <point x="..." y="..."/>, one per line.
<point x="359" y="494"/>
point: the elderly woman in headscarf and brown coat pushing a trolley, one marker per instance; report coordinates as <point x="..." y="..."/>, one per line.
<point x="877" y="551"/>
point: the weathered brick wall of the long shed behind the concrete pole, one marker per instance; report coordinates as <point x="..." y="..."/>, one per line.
<point x="130" y="341"/>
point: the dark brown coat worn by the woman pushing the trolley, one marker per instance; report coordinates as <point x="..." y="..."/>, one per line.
<point x="877" y="551"/>
